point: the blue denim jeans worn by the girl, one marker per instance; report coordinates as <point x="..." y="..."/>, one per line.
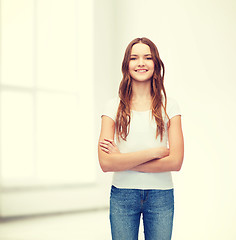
<point x="156" y="207"/>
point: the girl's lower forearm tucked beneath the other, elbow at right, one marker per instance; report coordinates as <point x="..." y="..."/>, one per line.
<point x="166" y="164"/>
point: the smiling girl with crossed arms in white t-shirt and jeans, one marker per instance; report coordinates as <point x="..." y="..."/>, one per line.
<point x="141" y="141"/>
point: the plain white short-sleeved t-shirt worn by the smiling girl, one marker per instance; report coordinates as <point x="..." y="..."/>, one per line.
<point x="142" y="135"/>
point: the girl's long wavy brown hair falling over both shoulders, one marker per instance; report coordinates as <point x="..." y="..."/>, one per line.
<point x="123" y="116"/>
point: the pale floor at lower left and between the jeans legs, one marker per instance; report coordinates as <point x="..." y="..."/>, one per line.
<point x="92" y="225"/>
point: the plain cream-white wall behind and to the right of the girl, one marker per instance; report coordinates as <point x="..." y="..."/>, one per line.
<point x="196" y="40"/>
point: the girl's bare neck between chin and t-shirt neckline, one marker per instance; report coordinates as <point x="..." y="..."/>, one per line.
<point x="141" y="90"/>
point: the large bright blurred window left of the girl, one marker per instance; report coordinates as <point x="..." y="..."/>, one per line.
<point x="46" y="93"/>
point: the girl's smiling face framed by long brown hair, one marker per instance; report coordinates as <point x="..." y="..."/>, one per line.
<point x="141" y="65"/>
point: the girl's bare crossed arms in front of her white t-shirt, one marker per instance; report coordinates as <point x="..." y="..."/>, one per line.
<point x="150" y="160"/>
